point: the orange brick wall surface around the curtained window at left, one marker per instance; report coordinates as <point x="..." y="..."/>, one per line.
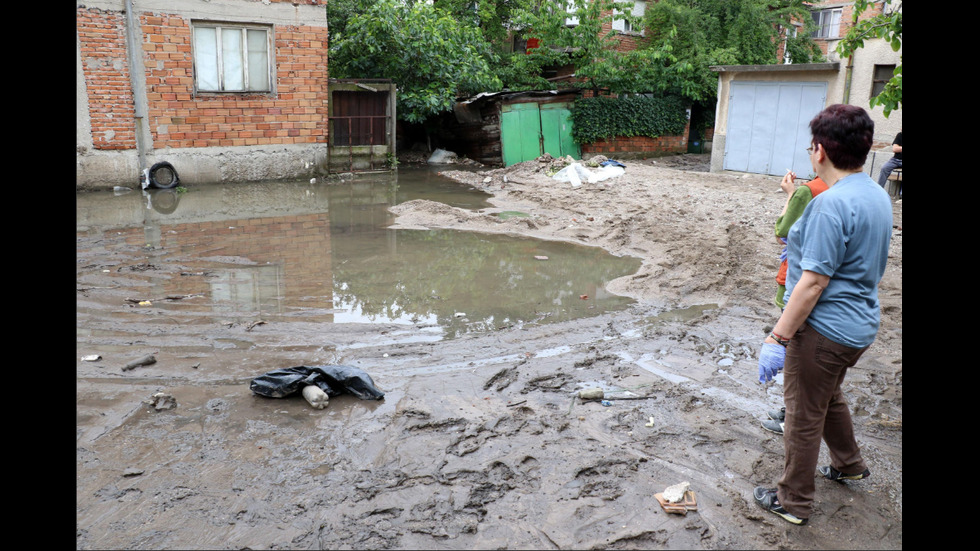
<point x="177" y="118"/>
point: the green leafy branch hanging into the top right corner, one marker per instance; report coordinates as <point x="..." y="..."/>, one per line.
<point x="887" y="26"/>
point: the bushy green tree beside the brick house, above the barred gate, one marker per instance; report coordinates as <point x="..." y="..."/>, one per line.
<point x="431" y="56"/>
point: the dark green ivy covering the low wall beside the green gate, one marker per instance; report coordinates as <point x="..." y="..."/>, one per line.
<point x="603" y="117"/>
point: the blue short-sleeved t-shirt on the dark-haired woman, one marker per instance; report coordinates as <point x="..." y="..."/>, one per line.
<point x="844" y="233"/>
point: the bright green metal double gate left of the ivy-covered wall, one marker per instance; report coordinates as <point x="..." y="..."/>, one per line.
<point x="527" y="130"/>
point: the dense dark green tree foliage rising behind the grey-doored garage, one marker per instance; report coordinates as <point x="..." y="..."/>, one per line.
<point x="692" y="35"/>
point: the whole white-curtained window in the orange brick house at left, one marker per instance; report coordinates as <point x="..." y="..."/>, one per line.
<point x="232" y="58"/>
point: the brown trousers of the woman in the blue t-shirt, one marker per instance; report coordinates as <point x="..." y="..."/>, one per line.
<point x="815" y="408"/>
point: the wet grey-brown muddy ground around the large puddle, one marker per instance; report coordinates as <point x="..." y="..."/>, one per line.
<point x="480" y="441"/>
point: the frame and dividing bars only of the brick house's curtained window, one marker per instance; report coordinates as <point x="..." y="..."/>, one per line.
<point x="219" y="28"/>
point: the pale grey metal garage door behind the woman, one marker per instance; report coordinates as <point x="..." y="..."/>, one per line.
<point x="768" y="130"/>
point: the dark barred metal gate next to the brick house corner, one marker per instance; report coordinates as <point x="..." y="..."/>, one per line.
<point x="361" y="125"/>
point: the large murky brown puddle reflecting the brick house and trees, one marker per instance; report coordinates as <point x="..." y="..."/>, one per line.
<point x="324" y="252"/>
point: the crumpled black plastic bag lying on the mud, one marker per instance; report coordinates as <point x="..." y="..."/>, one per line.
<point x="332" y="379"/>
